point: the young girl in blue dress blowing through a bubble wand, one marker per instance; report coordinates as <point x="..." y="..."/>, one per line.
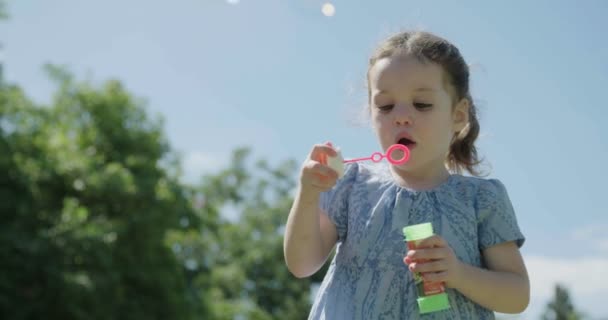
<point x="418" y="96"/>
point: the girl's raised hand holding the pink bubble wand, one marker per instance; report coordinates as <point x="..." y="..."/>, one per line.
<point x="316" y="175"/>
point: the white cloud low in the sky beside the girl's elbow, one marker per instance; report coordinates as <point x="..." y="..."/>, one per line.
<point x="585" y="278"/>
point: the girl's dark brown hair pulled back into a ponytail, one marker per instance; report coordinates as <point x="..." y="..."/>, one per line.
<point x="429" y="47"/>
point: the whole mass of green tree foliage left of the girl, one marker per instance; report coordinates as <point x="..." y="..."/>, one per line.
<point x="97" y="225"/>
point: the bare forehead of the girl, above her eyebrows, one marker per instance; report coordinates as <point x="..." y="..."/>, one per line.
<point x="405" y="72"/>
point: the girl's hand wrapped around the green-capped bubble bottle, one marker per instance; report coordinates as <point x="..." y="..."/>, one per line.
<point x="435" y="260"/>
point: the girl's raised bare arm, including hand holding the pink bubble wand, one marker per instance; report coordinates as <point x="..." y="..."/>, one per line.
<point x="309" y="234"/>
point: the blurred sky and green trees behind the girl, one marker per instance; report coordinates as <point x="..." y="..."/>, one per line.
<point x="149" y="150"/>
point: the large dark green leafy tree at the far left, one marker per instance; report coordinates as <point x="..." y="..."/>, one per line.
<point x="88" y="197"/>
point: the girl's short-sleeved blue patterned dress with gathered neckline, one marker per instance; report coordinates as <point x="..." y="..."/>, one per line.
<point x="367" y="278"/>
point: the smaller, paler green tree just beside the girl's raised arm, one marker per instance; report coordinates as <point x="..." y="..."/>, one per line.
<point x="248" y="278"/>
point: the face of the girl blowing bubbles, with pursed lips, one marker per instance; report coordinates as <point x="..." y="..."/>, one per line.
<point x="410" y="105"/>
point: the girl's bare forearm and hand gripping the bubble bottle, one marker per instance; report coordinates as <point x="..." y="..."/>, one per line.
<point x="503" y="287"/>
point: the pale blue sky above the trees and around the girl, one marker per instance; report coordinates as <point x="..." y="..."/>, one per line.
<point x="279" y="76"/>
